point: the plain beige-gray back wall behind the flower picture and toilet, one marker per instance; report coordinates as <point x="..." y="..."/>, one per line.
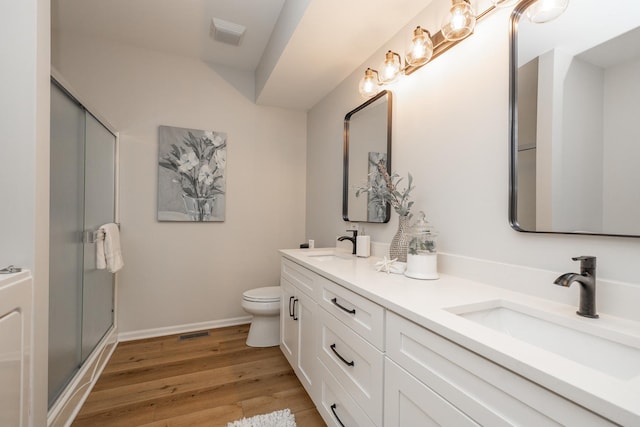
<point x="179" y="274"/>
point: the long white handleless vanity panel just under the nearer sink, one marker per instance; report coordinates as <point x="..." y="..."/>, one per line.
<point x="486" y="392"/>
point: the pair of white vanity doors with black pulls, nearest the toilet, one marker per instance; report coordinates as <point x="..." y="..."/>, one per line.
<point x="298" y="324"/>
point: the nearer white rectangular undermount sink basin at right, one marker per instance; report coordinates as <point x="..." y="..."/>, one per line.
<point x="608" y="351"/>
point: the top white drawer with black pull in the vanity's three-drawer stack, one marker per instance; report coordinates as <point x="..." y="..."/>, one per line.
<point x="360" y="314"/>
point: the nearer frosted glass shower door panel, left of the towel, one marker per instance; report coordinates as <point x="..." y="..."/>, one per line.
<point x="66" y="214"/>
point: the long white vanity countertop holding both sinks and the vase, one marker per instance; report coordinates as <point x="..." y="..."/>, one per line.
<point x="425" y="302"/>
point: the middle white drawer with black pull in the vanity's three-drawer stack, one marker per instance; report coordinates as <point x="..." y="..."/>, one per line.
<point x="355" y="363"/>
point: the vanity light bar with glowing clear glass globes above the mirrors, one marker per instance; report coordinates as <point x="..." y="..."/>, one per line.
<point x="424" y="47"/>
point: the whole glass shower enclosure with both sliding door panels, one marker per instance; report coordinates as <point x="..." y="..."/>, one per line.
<point x="82" y="198"/>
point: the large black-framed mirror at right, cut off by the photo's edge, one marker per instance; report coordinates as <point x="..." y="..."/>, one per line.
<point x="575" y="125"/>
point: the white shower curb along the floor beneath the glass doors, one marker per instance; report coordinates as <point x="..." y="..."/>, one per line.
<point x="66" y="407"/>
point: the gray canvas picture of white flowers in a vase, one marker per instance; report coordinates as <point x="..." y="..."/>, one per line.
<point x="191" y="174"/>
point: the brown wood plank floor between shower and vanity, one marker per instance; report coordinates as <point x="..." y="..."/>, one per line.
<point x="206" y="381"/>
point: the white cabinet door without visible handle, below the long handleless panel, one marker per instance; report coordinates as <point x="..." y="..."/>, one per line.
<point x="410" y="403"/>
